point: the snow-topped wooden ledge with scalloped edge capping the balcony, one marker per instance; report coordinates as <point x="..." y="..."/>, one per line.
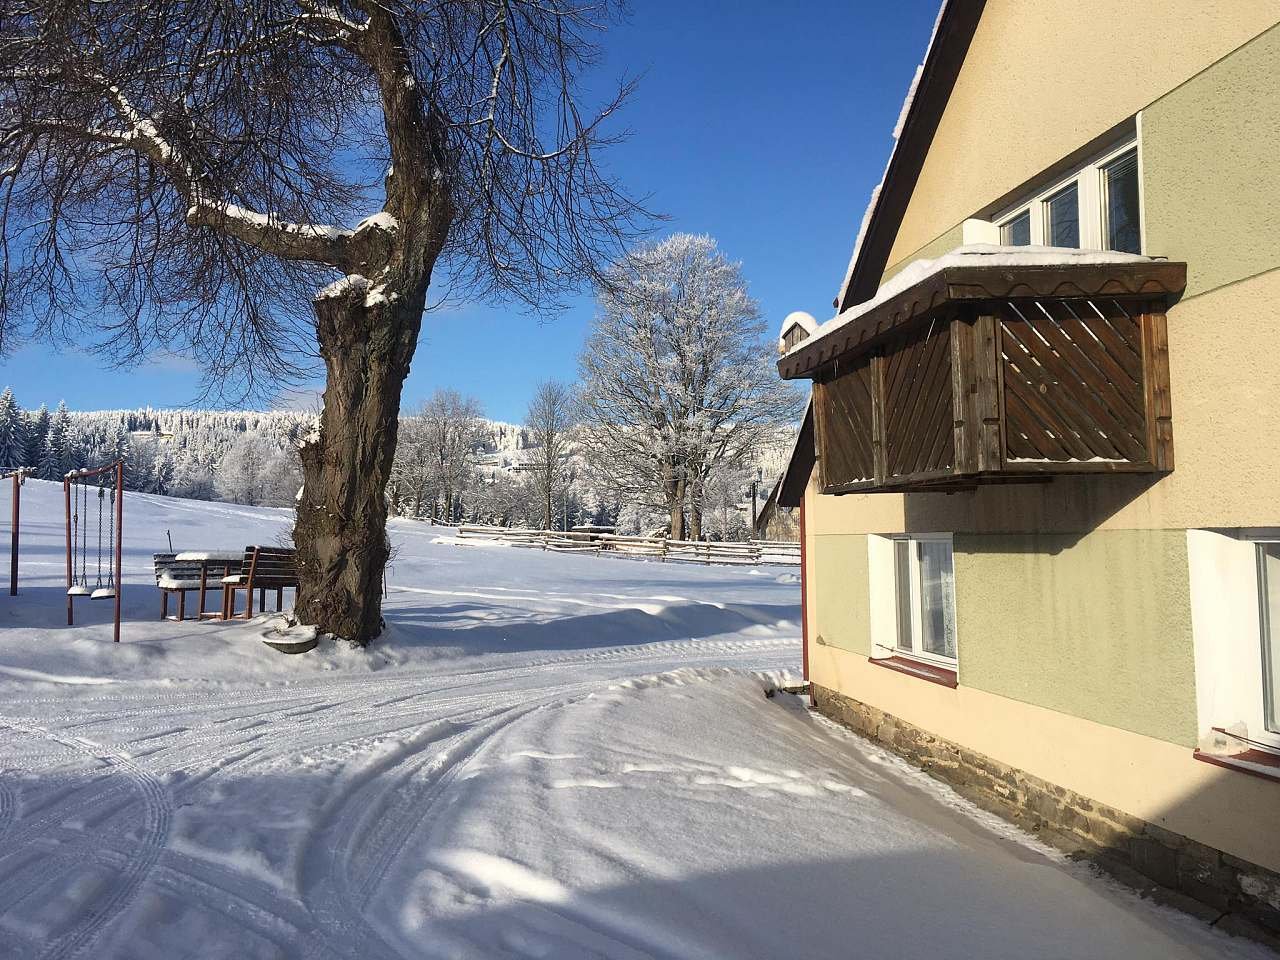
<point x="980" y="273"/>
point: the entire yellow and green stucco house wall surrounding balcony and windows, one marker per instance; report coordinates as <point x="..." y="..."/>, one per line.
<point x="1077" y="657"/>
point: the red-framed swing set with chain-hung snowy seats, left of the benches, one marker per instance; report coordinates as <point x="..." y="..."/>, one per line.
<point x="79" y="490"/>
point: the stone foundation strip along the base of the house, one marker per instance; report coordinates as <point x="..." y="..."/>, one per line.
<point x="1223" y="890"/>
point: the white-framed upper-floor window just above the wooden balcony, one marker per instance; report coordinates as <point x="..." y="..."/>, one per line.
<point x="1098" y="208"/>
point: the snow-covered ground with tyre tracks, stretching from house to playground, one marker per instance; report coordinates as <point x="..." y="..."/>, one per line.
<point x="547" y="757"/>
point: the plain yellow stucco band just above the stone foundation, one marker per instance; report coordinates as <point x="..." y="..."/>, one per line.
<point x="1155" y="780"/>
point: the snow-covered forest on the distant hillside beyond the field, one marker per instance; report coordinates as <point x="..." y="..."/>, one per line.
<point x="252" y="458"/>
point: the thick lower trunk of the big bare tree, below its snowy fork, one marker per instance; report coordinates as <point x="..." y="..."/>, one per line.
<point x="341" y="529"/>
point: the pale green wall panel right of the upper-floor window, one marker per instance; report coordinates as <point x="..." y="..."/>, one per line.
<point x="1212" y="163"/>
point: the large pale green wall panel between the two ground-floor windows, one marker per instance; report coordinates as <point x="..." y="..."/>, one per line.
<point x="1098" y="628"/>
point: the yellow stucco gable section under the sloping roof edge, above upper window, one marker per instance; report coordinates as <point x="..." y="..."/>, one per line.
<point x="1041" y="80"/>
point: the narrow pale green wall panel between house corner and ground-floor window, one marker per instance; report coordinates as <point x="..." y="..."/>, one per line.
<point x="842" y="592"/>
